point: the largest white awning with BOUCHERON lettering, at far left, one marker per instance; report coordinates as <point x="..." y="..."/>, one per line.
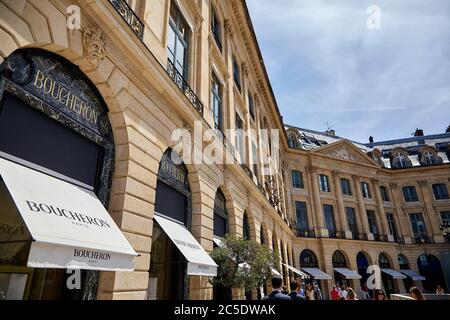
<point x="69" y="226"/>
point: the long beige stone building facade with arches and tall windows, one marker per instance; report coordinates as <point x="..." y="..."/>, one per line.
<point x="121" y="81"/>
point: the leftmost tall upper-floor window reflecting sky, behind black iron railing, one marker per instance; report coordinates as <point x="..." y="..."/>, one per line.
<point x="177" y="45"/>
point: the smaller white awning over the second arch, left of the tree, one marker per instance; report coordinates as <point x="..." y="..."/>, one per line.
<point x="199" y="261"/>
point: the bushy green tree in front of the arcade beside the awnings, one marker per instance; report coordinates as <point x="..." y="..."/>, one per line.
<point x="243" y="263"/>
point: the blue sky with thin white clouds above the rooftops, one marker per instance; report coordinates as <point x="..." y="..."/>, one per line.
<point x="325" y="65"/>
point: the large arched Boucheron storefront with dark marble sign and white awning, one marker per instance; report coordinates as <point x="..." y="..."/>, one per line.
<point x="56" y="166"/>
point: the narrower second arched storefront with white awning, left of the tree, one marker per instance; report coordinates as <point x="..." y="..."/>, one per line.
<point x="176" y="254"/>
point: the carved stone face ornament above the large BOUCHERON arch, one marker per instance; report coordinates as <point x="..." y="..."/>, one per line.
<point x="94" y="45"/>
